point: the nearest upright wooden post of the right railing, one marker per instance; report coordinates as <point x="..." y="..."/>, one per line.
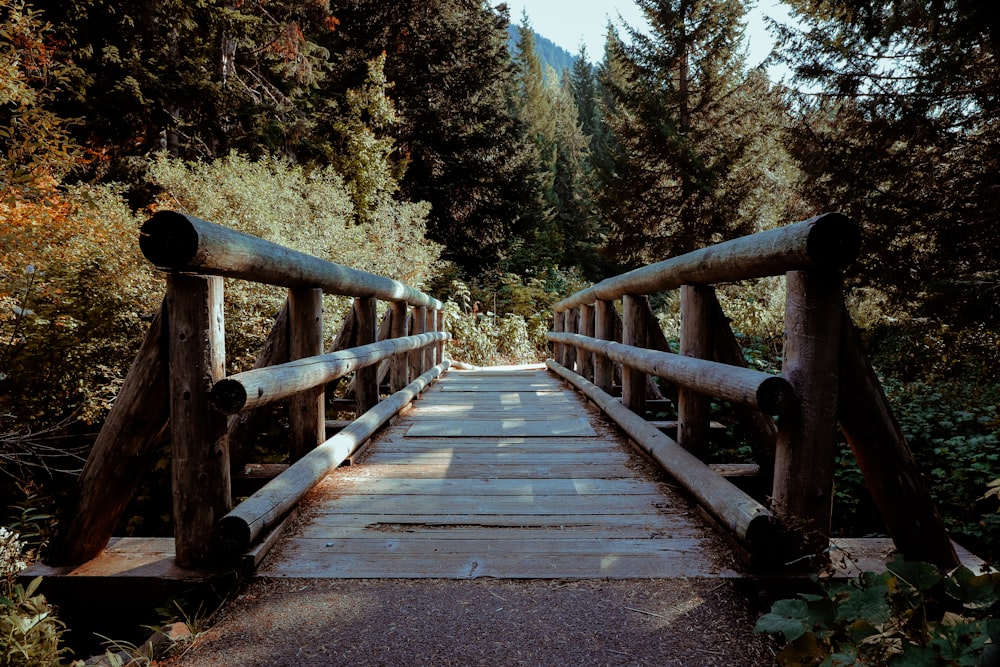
<point x="806" y="445"/>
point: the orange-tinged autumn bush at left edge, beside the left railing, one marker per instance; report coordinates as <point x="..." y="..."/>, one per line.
<point x="73" y="290"/>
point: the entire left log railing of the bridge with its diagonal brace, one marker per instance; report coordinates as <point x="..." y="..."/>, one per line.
<point x="178" y="380"/>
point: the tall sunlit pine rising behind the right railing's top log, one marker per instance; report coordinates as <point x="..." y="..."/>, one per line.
<point x="678" y="134"/>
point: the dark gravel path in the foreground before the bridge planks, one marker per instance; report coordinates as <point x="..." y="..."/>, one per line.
<point x="484" y="622"/>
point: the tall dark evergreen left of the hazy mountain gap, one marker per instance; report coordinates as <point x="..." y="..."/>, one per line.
<point x="453" y="86"/>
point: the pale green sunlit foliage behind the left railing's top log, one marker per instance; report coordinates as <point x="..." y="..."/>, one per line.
<point x="310" y="210"/>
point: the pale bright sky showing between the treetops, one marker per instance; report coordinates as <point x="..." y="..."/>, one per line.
<point x="569" y="23"/>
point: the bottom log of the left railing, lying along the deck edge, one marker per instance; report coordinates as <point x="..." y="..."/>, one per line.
<point x="237" y="530"/>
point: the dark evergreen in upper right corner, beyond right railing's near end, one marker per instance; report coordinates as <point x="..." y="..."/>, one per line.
<point x="899" y="131"/>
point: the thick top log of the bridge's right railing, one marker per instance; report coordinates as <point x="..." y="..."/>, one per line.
<point x="830" y="241"/>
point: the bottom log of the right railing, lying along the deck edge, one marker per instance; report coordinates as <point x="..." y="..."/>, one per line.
<point x="748" y="521"/>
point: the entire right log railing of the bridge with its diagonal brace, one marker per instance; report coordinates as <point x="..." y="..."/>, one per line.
<point x="825" y="380"/>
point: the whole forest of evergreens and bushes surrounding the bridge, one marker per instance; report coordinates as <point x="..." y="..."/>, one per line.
<point x="416" y="140"/>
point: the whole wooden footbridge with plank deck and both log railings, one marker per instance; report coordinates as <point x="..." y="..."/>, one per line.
<point x="558" y="472"/>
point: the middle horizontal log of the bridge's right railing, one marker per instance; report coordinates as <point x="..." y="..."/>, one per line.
<point x="770" y="394"/>
